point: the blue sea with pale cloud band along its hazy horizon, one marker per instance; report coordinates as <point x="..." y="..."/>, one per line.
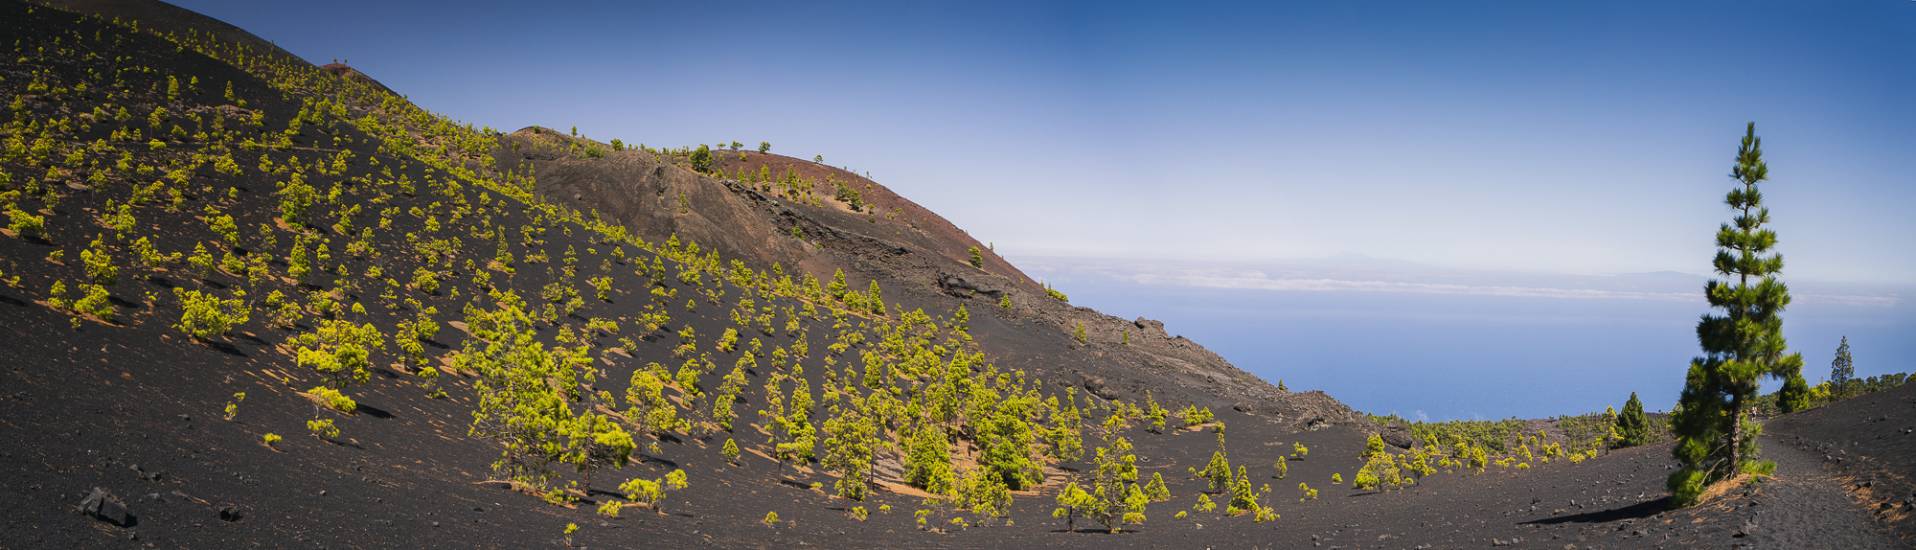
<point x="1480" y="352"/>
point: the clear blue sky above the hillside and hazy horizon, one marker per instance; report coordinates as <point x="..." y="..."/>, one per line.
<point x="1578" y="137"/>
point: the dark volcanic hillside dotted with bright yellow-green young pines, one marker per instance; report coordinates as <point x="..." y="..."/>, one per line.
<point x="252" y="302"/>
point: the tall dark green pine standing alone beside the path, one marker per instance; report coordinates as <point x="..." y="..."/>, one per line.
<point x="1743" y="342"/>
